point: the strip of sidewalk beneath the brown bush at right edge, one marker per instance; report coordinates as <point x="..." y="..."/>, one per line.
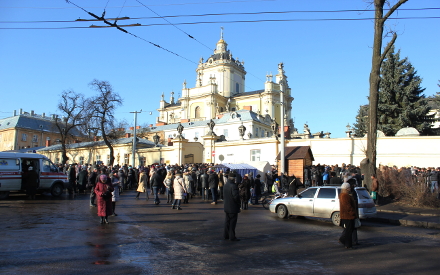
<point x="398" y="214"/>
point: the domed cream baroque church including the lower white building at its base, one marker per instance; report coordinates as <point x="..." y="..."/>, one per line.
<point x="219" y="92"/>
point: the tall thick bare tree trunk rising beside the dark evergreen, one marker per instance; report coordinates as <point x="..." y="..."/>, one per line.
<point x="378" y="57"/>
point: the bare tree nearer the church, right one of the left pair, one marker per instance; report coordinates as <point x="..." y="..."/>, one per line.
<point x="103" y="106"/>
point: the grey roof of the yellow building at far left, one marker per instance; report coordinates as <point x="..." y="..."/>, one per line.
<point x="35" y="122"/>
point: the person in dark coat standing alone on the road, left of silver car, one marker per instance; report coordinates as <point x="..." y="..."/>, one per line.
<point x="231" y="207"/>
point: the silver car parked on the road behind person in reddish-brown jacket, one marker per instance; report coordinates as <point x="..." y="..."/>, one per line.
<point x="321" y="202"/>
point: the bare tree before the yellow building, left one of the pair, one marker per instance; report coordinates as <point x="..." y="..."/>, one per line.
<point x="72" y="107"/>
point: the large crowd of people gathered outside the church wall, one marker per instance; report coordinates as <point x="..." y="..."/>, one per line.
<point x="181" y="183"/>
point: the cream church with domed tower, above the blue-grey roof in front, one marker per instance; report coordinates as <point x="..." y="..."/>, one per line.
<point x="220" y="89"/>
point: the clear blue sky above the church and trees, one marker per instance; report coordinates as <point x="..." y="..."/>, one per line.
<point x="326" y="48"/>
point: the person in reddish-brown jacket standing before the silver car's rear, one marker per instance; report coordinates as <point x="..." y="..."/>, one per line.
<point x="347" y="212"/>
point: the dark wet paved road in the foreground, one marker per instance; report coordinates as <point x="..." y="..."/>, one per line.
<point x="63" y="236"/>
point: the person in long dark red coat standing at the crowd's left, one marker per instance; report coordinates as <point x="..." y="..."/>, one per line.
<point x="103" y="191"/>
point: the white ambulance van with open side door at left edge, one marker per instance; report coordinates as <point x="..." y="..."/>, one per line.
<point x="14" y="165"/>
